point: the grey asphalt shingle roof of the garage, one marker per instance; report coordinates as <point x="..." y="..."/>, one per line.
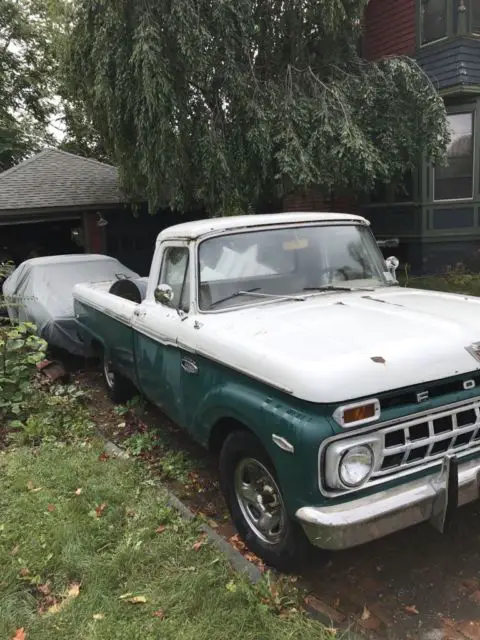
<point x="56" y="179"/>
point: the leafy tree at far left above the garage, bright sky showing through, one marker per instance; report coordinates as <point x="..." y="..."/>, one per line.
<point x="27" y="78"/>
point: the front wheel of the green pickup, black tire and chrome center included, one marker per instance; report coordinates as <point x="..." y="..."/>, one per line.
<point x="284" y="547"/>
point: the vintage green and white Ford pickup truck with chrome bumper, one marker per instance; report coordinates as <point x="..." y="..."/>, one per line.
<point x="343" y="407"/>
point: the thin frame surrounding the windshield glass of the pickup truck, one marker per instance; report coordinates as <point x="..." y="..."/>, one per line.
<point x="275" y="227"/>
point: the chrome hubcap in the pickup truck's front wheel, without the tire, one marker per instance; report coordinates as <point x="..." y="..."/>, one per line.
<point x="260" y="500"/>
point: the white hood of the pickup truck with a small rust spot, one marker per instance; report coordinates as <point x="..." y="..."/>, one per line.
<point x="336" y="347"/>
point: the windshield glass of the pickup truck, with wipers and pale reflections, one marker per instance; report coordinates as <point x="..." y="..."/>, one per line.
<point x="237" y="269"/>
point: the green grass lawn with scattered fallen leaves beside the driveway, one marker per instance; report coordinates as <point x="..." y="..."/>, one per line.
<point x="51" y="536"/>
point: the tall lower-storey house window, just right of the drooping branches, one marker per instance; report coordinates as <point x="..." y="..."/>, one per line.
<point x="455" y="181"/>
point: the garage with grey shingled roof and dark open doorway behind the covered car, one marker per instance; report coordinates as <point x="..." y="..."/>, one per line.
<point x="56" y="203"/>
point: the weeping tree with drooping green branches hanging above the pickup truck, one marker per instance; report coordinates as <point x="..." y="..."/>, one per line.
<point x="229" y="103"/>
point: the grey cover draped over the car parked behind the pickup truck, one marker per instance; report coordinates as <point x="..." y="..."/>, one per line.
<point x="40" y="291"/>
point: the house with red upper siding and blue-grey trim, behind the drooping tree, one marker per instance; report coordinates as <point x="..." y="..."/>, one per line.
<point x="436" y="215"/>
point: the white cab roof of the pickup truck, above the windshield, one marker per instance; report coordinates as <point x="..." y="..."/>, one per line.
<point x="199" y="228"/>
